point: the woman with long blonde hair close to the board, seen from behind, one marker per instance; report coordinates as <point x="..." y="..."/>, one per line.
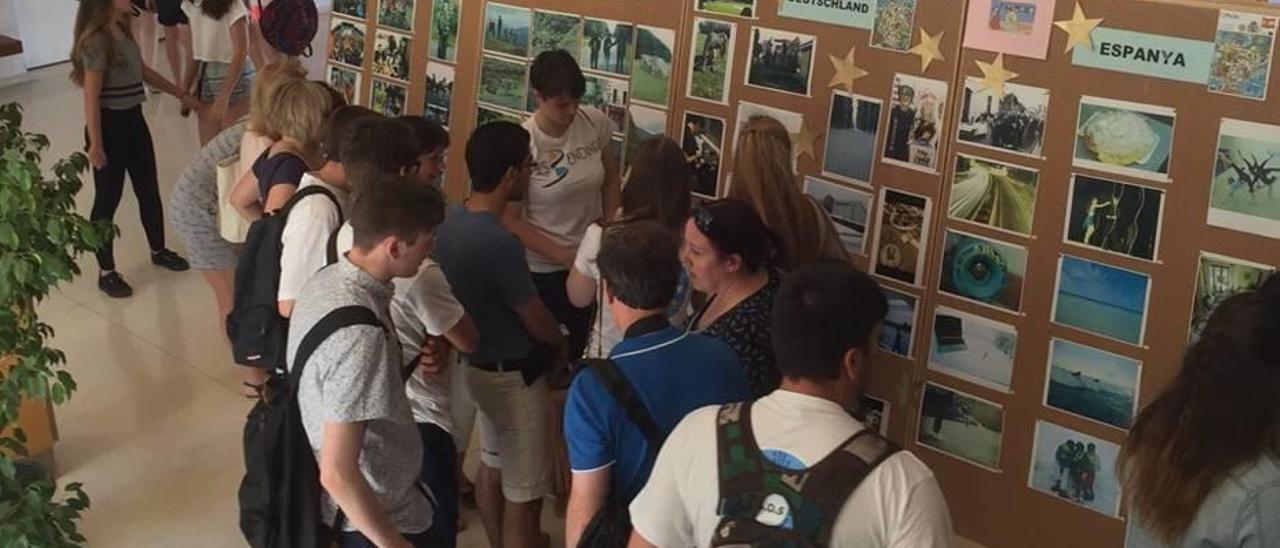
<point x="764" y="179"/>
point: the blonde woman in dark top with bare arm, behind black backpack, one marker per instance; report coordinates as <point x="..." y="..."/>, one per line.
<point x="298" y="115"/>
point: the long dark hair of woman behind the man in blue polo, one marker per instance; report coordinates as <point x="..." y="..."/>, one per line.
<point x="659" y="186"/>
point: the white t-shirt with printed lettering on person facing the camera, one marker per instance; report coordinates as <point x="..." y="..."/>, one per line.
<point x="568" y="182"/>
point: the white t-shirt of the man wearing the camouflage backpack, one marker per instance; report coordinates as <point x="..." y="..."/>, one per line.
<point x="898" y="506"/>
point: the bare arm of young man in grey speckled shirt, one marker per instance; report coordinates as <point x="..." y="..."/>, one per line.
<point x="342" y="479"/>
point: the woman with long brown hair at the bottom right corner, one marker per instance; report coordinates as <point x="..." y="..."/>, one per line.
<point x="1201" y="467"/>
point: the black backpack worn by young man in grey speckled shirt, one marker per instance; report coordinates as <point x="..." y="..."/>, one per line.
<point x="280" y="497"/>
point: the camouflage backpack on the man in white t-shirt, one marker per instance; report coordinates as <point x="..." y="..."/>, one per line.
<point x="799" y="508"/>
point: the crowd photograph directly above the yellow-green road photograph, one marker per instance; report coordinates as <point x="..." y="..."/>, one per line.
<point x="1013" y="122"/>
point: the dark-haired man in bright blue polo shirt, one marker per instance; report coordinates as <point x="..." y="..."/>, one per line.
<point x="610" y="454"/>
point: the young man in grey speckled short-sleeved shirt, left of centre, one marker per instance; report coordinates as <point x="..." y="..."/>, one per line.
<point x="351" y="392"/>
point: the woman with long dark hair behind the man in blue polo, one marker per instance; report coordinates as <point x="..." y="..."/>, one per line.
<point x="657" y="190"/>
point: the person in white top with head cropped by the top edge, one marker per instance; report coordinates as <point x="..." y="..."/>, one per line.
<point x="220" y="43"/>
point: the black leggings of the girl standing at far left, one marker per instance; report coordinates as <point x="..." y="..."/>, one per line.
<point x="127" y="143"/>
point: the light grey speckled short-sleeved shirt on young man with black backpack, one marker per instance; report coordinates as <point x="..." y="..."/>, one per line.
<point x="355" y="377"/>
